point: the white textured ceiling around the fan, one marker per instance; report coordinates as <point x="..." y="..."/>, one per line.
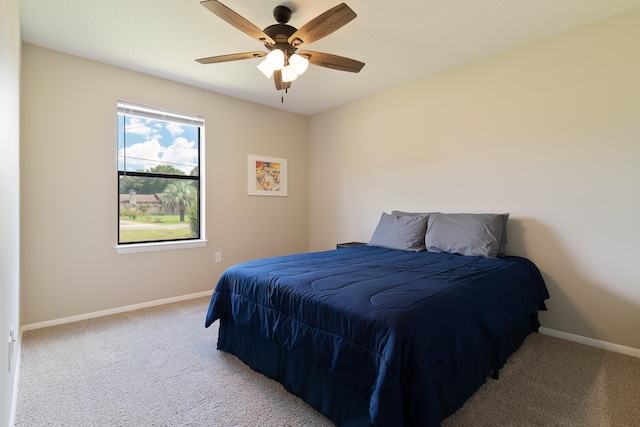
<point x="398" y="41"/>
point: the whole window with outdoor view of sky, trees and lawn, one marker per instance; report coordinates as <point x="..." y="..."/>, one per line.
<point x="160" y="195"/>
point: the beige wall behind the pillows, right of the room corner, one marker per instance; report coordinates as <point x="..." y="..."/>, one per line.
<point x="549" y="132"/>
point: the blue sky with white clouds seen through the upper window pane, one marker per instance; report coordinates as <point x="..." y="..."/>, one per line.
<point x="150" y="143"/>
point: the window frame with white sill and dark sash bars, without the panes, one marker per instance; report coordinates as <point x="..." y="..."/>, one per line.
<point x="162" y="114"/>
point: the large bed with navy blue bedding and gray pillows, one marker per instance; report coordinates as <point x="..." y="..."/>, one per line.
<point x="374" y="335"/>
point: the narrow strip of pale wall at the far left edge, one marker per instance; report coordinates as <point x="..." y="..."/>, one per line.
<point x="10" y="198"/>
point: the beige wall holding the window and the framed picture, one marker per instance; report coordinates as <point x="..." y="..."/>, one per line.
<point x="69" y="188"/>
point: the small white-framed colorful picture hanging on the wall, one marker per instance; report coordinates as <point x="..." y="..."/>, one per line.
<point x="266" y="176"/>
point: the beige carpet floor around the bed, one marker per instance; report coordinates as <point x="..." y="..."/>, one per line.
<point x="159" y="367"/>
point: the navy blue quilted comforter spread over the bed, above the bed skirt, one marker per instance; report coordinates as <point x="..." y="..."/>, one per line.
<point x="398" y="325"/>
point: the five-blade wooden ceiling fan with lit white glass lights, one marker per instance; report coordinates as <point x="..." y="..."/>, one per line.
<point x="282" y="41"/>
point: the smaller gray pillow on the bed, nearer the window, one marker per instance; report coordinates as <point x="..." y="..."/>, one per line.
<point x="400" y="232"/>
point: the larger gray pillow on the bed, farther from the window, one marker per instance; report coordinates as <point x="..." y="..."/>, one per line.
<point x="466" y="234"/>
